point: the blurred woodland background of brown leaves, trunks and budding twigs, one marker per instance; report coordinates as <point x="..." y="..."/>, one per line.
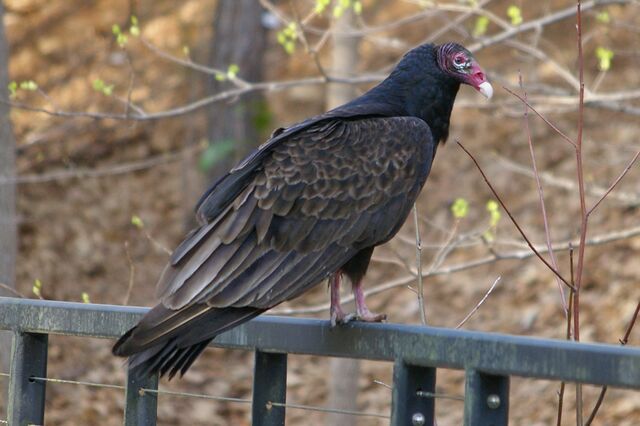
<point x="122" y="112"/>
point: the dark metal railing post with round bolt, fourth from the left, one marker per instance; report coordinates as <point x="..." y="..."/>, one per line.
<point x="413" y="395"/>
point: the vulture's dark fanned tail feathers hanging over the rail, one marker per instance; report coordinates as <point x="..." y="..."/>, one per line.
<point x="167" y="341"/>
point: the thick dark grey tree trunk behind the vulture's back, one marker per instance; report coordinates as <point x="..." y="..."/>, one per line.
<point x="238" y="38"/>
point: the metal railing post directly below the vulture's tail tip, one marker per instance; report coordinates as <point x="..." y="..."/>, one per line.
<point x="141" y="408"/>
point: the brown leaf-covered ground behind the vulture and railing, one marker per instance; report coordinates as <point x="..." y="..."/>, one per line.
<point x="73" y="229"/>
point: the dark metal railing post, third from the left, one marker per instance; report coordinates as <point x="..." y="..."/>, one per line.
<point x="269" y="386"/>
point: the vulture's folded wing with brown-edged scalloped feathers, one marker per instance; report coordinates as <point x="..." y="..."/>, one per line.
<point x="321" y="195"/>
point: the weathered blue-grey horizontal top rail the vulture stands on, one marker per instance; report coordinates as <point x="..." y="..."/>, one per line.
<point x="490" y="353"/>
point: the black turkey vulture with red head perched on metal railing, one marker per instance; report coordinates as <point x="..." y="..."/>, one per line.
<point x="309" y="204"/>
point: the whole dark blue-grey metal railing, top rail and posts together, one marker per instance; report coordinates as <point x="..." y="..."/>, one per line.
<point x="488" y="359"/>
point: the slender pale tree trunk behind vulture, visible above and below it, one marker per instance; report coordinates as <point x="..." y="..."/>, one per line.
<point x="343" y="392"/>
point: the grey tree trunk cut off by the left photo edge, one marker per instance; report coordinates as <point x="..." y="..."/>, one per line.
<point x="8" y="227"/>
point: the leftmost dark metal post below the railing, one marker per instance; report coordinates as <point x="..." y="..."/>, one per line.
<point x="26" y="396"/>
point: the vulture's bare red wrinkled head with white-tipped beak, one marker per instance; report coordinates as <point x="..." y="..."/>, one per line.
<point x="459" y="63"/>
